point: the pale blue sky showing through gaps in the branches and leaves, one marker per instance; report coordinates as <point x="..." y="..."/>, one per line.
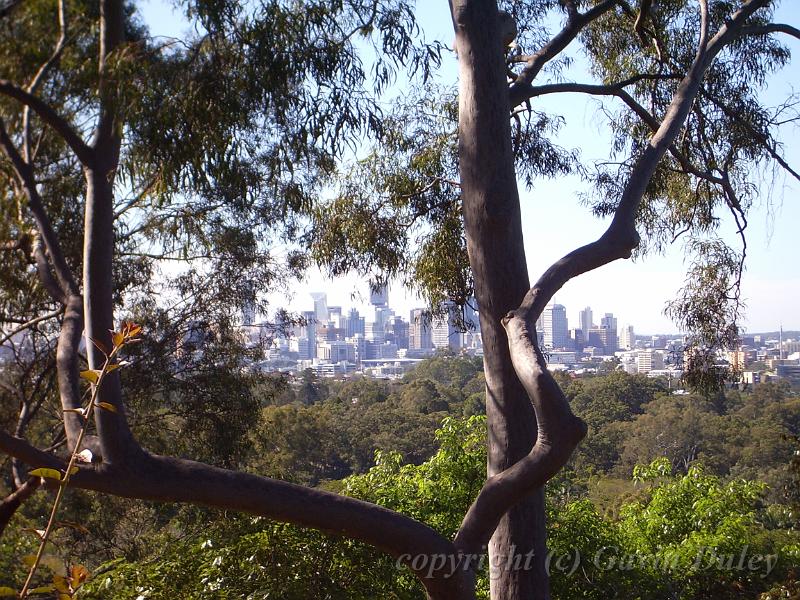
<point x="555" y="222"/>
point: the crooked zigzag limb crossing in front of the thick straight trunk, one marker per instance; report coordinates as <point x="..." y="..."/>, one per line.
<point x="559" y="431"/>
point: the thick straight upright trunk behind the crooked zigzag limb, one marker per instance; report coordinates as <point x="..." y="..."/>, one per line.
<point x="497" y="257"/>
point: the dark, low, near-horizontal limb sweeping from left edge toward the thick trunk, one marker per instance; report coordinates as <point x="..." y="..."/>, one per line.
<point x="159" y="478"/>
